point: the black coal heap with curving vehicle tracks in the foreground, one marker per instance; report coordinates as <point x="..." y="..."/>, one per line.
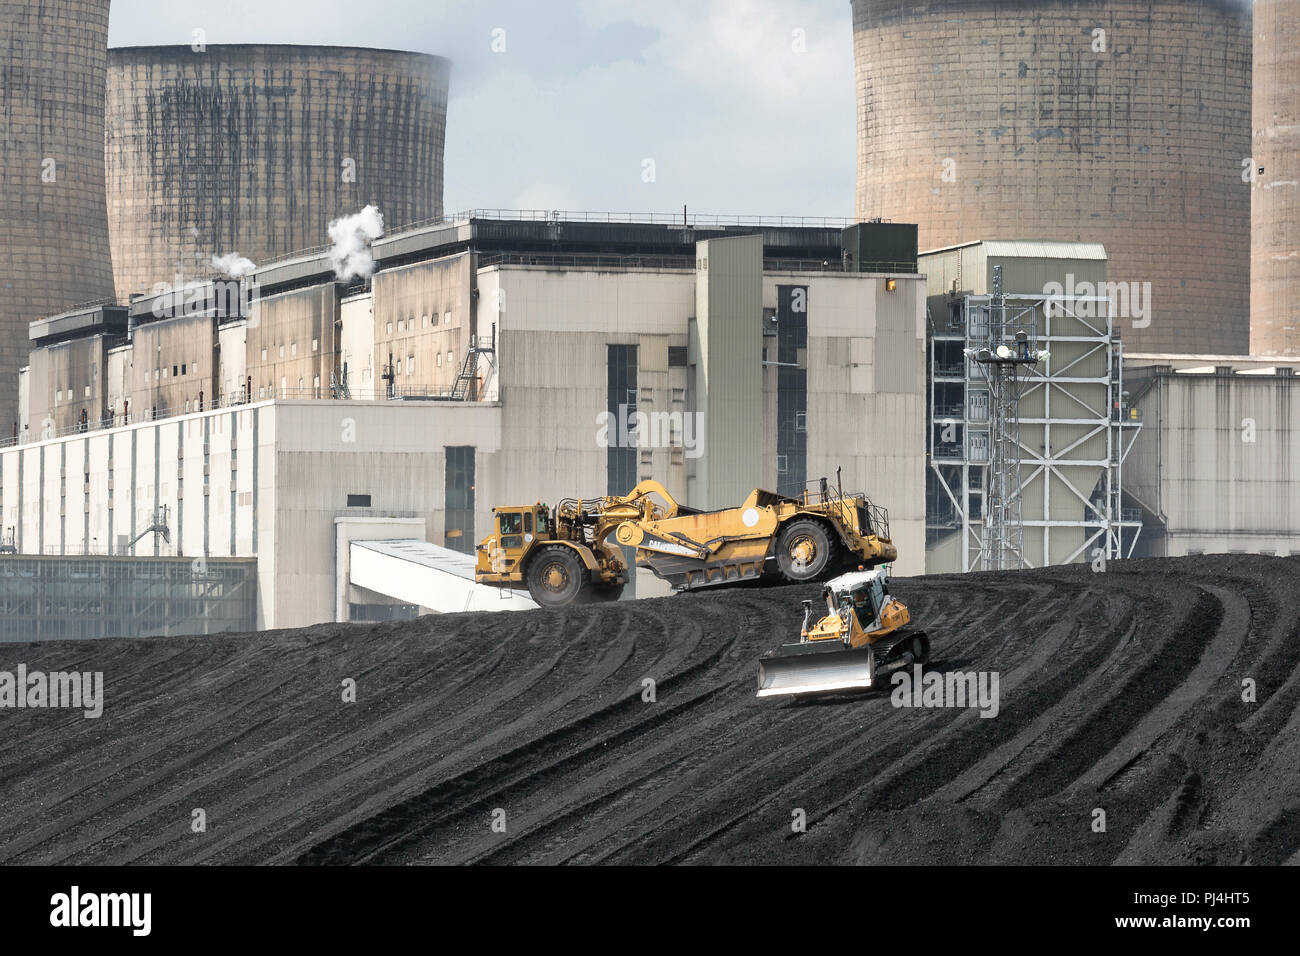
<point x="1123" y="693"/>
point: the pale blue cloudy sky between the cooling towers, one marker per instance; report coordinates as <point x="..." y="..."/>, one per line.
<point x="743" y="106"/>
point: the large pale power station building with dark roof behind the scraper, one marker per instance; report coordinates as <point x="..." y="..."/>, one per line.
<point x="487" y="362"/>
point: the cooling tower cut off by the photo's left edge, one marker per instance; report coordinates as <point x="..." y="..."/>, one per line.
<point x="54" y="227"/>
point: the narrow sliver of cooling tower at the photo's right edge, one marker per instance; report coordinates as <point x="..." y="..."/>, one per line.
<point x="1276" y="193"/>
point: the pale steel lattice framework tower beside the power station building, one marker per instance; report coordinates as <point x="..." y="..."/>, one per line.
<point x="1028" y="458"/>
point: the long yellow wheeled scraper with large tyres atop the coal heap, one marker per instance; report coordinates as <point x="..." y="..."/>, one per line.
<point x="571" y="553"/>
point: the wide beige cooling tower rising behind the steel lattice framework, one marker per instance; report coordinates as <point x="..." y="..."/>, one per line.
<point x="1123" y="123"/>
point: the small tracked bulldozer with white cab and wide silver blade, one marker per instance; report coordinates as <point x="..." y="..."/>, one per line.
<point x="863" y="637"/>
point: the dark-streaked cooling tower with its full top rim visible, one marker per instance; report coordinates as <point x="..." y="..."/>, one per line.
<point x="255" y="149"/>
